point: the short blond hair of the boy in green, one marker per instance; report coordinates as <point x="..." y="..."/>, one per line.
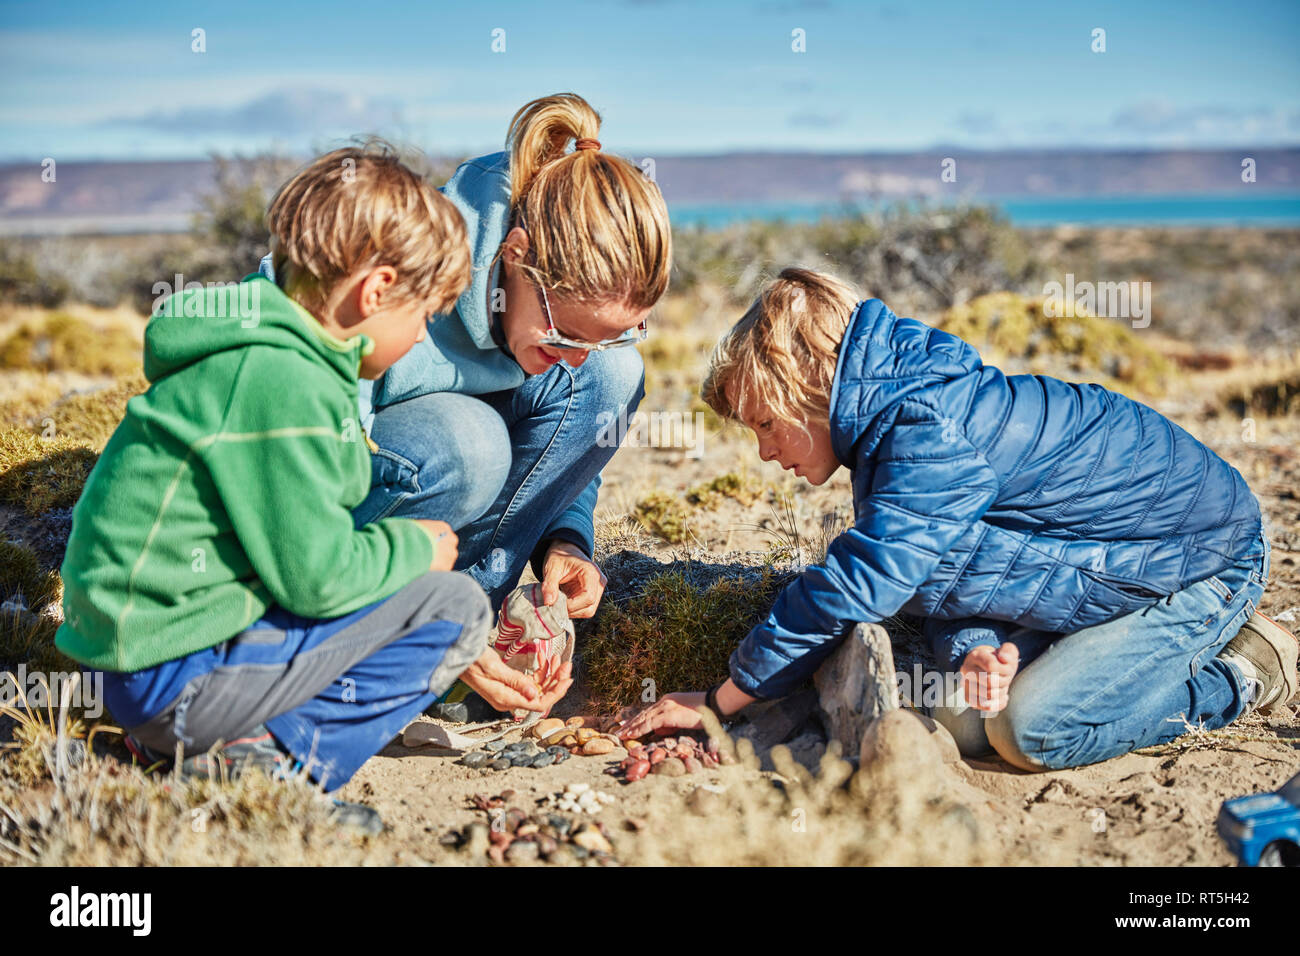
<point x="358" y="209"/>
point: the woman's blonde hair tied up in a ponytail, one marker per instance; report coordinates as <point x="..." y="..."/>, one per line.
<point x="597" y="227"/>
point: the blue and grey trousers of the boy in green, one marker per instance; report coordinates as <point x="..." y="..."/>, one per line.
<point x="332" y="693"/>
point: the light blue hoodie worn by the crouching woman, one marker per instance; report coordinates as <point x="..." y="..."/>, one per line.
<point x="460" y="354"/>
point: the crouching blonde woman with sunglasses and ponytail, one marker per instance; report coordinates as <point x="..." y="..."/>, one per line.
<point x="491" y="423"/>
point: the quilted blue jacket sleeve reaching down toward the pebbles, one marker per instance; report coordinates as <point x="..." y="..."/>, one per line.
<point x="929" y="486"/>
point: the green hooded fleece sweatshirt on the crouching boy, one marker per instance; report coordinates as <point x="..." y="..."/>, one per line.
<point x="228" y="488"/>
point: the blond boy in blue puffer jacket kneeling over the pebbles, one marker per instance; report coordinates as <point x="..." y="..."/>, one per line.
<point x="1090" y="568"/>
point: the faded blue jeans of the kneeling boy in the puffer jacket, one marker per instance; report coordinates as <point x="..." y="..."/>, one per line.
<point x="1133" y="682"/>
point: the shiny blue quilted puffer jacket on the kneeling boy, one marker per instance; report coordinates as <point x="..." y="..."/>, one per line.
<point x="978" y="495"/>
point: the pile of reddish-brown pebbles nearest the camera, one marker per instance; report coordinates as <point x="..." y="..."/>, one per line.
<point x="517" y="837"/>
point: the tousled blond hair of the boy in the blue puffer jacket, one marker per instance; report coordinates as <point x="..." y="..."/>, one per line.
<point x="785" y="349"/>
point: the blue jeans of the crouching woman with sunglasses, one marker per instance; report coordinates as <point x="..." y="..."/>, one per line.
<point x="505" y="468"/>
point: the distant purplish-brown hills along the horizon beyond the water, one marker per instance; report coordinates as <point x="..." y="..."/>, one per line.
<point x="162" y="197"/>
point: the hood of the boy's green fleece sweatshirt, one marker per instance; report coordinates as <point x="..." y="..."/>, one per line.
<point x="197" y="323"/>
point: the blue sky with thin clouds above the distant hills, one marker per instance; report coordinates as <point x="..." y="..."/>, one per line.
<point x="120" y="80"/>
